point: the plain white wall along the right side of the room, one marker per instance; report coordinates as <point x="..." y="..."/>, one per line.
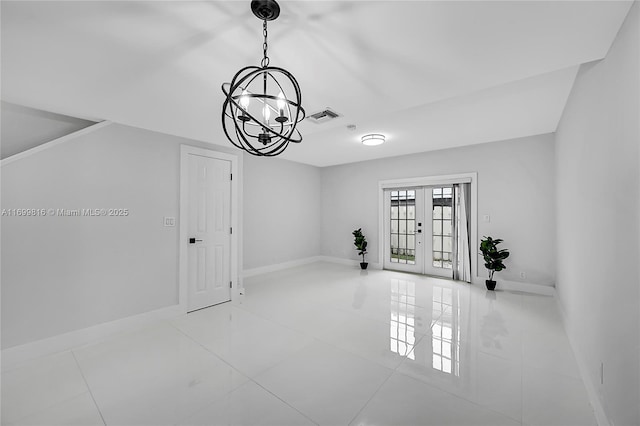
<point x="597" y="168"/>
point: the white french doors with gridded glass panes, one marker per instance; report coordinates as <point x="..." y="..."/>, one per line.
<point x="420" y="229"/>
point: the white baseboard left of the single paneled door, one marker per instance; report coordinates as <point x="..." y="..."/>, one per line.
<point x="12" y="357"/>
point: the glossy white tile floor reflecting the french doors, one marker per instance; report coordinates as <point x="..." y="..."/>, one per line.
<point x="321" y="344"/>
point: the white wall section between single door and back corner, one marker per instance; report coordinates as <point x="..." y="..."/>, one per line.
<point x="281" y="211"/>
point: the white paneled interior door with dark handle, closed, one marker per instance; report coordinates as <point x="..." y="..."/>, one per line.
<point x="209" y="230"/>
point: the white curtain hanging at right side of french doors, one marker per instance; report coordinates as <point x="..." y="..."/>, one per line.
<point x="462" y="253"/>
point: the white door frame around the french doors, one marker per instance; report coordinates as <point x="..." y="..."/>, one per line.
<point x="471" y="177"/>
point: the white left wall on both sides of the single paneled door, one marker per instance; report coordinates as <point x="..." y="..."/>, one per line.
<point x="61" y="274"/>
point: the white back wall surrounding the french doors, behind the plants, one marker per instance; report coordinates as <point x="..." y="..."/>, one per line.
<point x="515" y="187"/>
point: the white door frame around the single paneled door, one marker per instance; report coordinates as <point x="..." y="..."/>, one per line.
<point x="183" y="270"/>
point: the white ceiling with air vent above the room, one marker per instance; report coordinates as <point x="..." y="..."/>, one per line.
<point x="428" y="74"/>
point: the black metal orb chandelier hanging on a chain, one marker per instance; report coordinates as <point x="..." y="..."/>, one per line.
<point x="263" y="104"/>
